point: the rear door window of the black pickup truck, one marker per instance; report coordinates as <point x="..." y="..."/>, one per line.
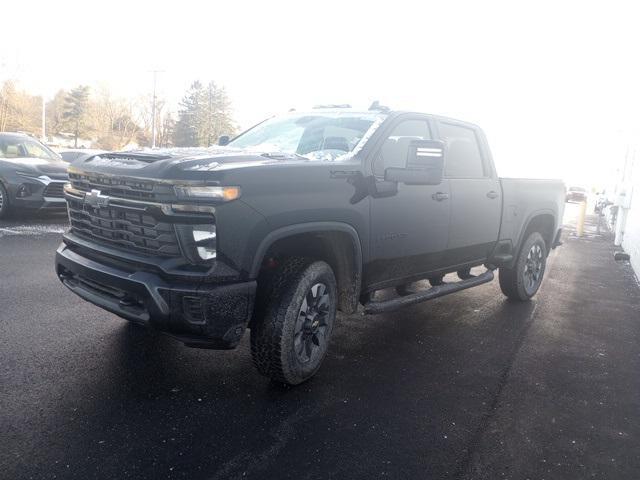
<point x="462" y="158"/>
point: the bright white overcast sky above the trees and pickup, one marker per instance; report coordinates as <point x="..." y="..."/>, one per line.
<point x="555" y="85"/>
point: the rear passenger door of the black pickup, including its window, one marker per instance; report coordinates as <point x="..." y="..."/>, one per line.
<point x="476" y="204"/>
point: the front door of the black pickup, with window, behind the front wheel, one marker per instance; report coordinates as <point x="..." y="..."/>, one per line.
<point x="409" y="230"/>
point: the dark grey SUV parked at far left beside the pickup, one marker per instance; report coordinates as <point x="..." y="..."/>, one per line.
<point x="31" y="175"/>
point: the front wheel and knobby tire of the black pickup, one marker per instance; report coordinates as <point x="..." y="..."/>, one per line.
<point x="290" y="340"/>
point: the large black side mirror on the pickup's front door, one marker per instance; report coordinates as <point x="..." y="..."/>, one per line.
<point x="425" y="164"/>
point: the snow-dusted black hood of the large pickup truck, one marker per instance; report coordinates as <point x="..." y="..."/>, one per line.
<point x="189" y="163"/>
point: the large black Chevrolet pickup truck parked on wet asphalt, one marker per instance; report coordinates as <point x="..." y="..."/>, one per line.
<point x="298" y="217"/>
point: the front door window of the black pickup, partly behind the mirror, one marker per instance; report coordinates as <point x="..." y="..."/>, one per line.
<point x="395" y="148"/>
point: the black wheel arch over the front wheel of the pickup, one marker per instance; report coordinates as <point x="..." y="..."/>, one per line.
<point x="334" y="242"/>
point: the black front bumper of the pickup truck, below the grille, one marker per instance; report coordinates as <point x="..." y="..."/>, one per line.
<point x="200" y="315"/>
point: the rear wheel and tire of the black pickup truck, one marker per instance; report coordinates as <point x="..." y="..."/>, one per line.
<point x="523" y="281"/>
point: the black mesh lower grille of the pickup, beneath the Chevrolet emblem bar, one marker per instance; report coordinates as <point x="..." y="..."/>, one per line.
<point x="122" y="228"/>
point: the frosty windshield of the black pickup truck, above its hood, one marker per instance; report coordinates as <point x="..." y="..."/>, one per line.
<point x="315" y="135"/>
